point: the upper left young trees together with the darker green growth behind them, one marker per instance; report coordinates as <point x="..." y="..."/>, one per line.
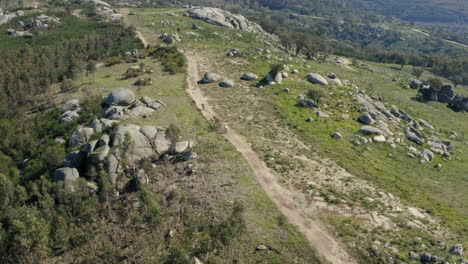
<point x="29" y="67"/>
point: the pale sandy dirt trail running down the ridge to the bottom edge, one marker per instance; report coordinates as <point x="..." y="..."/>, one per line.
<point x="326" y="245"/>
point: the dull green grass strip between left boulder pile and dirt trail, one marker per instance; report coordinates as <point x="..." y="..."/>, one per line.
<point x="218" y="160"/>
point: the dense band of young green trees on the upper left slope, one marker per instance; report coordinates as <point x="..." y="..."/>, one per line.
<point x="28" y="72"/>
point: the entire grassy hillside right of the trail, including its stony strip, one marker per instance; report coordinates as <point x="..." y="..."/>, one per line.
<point x="268" y="117"/>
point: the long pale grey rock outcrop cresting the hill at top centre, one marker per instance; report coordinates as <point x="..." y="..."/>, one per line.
<point x="223" y="18"/>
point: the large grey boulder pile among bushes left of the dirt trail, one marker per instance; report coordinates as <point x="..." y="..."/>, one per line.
<point x="106" y="146"/>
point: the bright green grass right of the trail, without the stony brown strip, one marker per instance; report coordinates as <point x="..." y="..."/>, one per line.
<point x="441" y="192"/>
